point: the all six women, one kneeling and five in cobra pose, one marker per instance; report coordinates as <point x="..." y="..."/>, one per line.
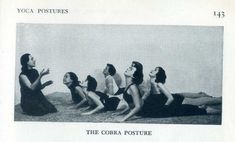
<point x="128" y="101"/>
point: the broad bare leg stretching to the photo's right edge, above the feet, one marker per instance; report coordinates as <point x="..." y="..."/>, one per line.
<point x="203" y="101"/>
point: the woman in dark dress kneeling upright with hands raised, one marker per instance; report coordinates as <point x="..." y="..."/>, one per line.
<point x="33" y="102"/>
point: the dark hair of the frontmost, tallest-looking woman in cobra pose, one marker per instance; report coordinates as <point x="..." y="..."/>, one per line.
<point x="138" y="74"/>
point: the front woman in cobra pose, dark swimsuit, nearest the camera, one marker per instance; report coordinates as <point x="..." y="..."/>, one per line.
<point x="164" y="104"/>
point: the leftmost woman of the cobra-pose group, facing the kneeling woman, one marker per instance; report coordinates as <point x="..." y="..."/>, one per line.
<point x="78" y="95"/>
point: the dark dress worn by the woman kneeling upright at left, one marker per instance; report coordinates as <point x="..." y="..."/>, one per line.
<point x="33" y="102"/>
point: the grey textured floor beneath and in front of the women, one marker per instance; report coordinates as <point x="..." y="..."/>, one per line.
<point x="67" y="114"/>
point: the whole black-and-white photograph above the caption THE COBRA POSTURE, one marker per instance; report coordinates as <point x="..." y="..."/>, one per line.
<point x="117" y="73"/>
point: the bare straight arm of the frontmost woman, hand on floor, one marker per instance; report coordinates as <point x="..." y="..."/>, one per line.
<point x="137" y="102"/>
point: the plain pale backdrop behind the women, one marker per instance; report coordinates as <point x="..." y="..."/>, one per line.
<point x="191" y="55"/>
